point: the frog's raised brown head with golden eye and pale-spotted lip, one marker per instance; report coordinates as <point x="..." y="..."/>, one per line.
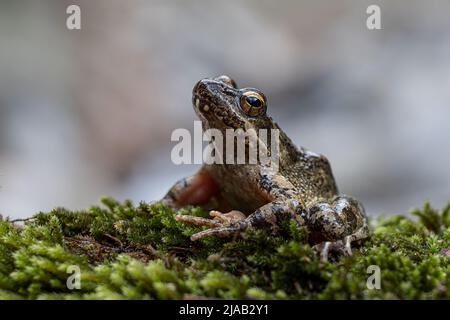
<point x="221" y="105"/>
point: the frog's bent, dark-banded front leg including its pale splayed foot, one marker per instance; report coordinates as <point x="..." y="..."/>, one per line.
<point x="283" y="206"/>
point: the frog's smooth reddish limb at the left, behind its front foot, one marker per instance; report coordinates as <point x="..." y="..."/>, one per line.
<point x="194" y="190"/>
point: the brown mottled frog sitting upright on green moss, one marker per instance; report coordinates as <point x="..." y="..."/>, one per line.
<point x="240" y="197"/>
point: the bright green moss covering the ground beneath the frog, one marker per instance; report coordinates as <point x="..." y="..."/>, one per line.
<point x="140" y="252"/>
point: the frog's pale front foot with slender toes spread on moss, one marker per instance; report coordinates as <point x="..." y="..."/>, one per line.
<point x="222" y="225"/>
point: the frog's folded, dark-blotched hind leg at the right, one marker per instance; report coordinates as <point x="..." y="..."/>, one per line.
<point x="337" y="224"/>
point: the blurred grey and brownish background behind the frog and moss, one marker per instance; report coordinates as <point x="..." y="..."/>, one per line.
<point x="86" y="113"/>
